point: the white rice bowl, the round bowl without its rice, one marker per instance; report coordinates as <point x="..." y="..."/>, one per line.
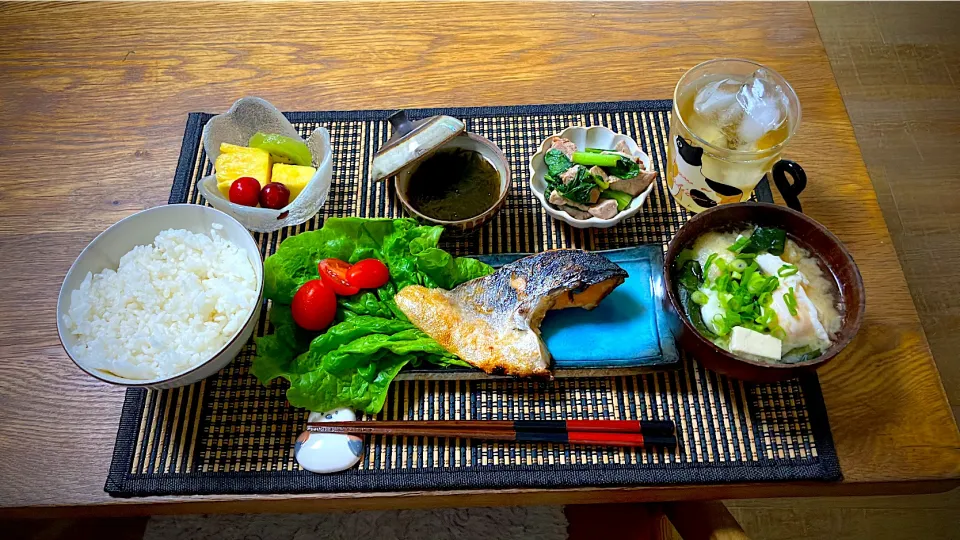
<point x="140" y="229"/>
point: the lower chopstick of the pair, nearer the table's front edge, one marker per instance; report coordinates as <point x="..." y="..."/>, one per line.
<point x="453" y="429"/>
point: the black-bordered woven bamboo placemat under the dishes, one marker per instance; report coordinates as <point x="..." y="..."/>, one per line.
<point x="229" y="434"/>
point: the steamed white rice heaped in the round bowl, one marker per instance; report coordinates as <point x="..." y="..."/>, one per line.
<point x="169" y="306"/>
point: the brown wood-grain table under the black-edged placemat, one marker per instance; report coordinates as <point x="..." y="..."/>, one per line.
<point x="94" y="100"/>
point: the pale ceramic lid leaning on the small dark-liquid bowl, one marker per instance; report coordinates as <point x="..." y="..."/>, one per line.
<point x="412" y="141"/>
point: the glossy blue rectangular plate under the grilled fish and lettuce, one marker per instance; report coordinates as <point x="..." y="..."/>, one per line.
<point x="628" y="332"/>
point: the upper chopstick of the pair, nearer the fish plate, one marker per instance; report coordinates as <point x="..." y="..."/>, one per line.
<point x="645" y="427"/>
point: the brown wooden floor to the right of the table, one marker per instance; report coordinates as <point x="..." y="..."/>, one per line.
<point x="901" y="85"/>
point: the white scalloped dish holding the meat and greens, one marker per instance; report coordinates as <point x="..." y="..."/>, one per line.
<point x="587" y="137"/>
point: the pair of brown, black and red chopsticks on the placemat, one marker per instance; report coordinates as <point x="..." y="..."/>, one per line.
<point x="624" y="433"/>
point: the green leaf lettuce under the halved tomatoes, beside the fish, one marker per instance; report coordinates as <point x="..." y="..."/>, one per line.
<point x="352" y="363"/>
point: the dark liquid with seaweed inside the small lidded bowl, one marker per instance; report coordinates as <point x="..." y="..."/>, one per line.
<point x="454" y="184"/>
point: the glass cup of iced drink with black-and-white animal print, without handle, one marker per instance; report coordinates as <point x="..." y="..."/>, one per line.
<point x="731" y="120"/>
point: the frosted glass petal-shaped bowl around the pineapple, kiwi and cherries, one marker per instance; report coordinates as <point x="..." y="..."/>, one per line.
<point x="246" y="117"/>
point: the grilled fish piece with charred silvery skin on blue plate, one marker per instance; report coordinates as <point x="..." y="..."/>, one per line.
<point x="493" y="322"/>
